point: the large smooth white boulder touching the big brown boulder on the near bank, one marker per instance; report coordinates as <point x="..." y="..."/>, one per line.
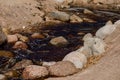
<point x="78" y="59"/>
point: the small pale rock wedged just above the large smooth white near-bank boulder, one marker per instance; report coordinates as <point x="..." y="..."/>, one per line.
<point x="86" y="51"/>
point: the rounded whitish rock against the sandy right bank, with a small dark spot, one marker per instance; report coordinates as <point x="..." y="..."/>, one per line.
<point x="98" y="47"/>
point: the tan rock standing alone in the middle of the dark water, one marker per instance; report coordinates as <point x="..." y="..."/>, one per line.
<point x="59" y="41"/>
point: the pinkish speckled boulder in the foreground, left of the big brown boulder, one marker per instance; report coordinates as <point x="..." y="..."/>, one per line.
<point x="34" y="71"/>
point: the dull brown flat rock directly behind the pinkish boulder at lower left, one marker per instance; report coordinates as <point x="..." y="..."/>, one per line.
<point x="22" y="64"/>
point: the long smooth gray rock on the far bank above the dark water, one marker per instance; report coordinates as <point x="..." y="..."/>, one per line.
<point x="57" y="15"/>
